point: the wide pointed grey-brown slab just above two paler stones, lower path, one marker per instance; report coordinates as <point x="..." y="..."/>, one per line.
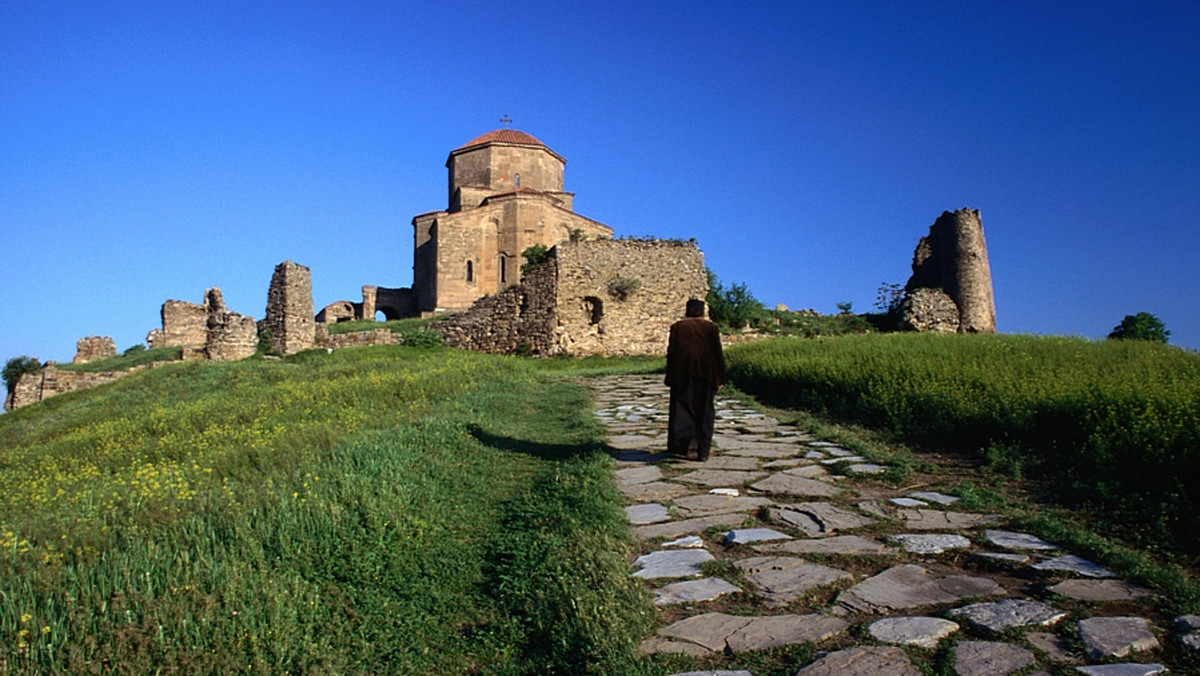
<point x="907" y="587"/>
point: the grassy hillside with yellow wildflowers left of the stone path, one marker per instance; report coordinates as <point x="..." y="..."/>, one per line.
<point x="373" y="511"/>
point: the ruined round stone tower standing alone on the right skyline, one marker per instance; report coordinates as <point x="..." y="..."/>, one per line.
<point x="953" y="260"/>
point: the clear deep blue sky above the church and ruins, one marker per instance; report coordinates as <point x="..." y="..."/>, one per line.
<point x="149" y="151"/>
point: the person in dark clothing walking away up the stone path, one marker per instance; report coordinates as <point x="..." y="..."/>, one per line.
<point x="695" y="372"/>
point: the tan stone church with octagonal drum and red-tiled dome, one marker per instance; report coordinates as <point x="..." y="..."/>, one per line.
<point x="506" y="195"/>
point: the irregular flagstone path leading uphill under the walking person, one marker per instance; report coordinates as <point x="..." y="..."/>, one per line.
<point x="806" y="545"/>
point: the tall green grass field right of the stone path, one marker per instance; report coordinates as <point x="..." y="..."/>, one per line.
<point x="1112" y="427"/>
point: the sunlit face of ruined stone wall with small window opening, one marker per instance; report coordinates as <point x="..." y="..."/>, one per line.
<point x="669" y="273"/>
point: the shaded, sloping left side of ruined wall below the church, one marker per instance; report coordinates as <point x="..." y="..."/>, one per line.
<point x="509" y="321"/>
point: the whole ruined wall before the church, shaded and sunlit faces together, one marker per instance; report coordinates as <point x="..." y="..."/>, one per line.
<point x="604" y="297"/>
